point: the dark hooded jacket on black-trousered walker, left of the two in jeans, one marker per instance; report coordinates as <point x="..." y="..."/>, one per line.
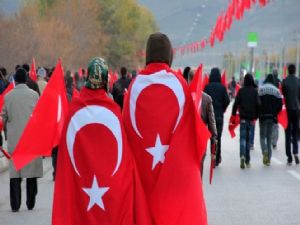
<point x="218" y="94"/>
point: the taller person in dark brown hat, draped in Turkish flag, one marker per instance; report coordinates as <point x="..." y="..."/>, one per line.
<point x="163" y="128"/>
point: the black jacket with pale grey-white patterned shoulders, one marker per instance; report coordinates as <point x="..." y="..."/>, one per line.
<point x="271" y="102"/>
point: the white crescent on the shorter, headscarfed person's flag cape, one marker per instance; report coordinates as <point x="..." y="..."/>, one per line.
<point x="94" y="114"/>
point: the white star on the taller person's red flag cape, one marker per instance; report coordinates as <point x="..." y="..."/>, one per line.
<point x="158" y="152"/>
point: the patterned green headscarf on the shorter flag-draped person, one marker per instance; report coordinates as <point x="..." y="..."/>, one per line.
<point x="97" y="74"/>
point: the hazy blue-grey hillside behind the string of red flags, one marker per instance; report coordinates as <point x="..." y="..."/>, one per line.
<point x="276" y="25"/>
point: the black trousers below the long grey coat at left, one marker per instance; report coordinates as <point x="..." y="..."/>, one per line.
<point x="15" y="193"/>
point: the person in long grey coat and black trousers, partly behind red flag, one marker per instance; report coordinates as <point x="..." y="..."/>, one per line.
<point x="18" y="106"/>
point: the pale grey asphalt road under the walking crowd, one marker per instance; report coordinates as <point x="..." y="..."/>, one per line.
<point x="256" y="196"/>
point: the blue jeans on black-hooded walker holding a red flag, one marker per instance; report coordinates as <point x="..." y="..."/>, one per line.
<point x="245" y="130"/>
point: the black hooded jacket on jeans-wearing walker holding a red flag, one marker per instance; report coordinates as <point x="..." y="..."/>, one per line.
<point x="247" y="100"/>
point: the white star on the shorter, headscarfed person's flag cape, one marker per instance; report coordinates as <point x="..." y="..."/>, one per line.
<point x="95" y="194"/>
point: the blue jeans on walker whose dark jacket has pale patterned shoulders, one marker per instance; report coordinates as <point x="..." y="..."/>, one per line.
<point x="266" y="131"/>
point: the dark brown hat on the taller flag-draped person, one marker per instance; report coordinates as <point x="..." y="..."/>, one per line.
<point x="159" y="49"/>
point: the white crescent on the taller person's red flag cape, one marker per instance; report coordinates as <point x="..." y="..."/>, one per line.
<point x="162" y="77"/>
